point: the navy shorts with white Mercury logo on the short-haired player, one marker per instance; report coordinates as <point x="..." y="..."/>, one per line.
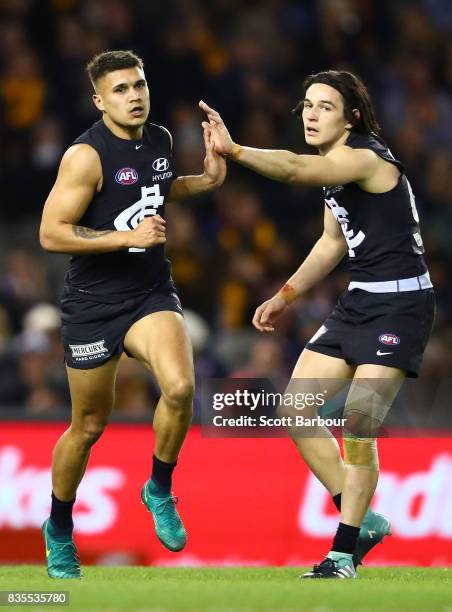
<point x="93" y="330"/>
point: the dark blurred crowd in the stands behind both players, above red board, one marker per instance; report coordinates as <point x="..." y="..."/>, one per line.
<point x="233" y="249"/>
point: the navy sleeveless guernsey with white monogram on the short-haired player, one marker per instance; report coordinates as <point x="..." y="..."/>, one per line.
<point x="137" y="176"/>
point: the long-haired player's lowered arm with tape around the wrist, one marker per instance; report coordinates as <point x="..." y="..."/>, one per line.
<point x="324" y="257"/>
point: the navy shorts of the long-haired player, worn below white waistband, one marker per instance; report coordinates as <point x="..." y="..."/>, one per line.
<point x="390" y="329"/>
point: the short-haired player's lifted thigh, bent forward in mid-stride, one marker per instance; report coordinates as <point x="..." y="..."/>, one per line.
<point x="160" y="340"/>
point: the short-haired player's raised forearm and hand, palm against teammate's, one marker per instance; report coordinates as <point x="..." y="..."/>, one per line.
<point x="214" y="174"/>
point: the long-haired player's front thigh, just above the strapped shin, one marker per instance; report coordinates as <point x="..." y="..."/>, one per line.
<point x="371" y="394"/>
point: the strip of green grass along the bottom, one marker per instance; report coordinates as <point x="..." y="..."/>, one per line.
<point x="148" y="588"/>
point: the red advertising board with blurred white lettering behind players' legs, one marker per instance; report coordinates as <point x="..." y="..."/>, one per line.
<point x="244" y="501"/>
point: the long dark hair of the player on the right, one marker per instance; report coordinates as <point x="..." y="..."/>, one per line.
<point x="355" y="96"/>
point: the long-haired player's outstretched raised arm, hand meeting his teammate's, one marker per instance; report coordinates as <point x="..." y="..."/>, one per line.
<point x="340" y="166"/>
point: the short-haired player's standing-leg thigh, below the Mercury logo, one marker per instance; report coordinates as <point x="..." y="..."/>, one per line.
<point x="92" y="392"/>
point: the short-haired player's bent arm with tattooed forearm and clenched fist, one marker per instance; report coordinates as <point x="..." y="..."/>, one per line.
<point x="79" y="178"/>
